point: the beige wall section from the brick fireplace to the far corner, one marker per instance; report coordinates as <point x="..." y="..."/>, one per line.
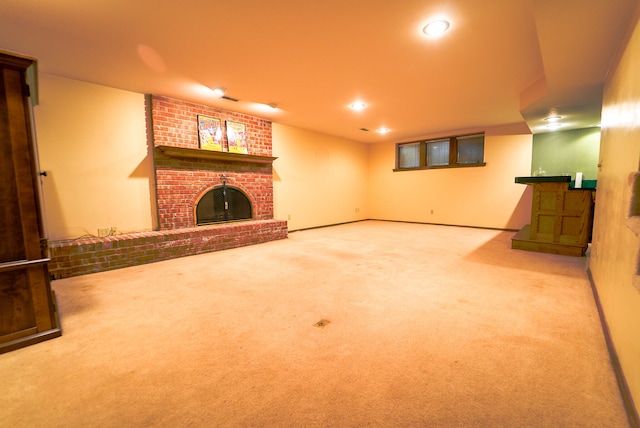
<point x="318" y="179"/>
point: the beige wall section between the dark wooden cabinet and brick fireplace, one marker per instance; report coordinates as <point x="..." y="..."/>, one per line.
<point x="92" y="144"/>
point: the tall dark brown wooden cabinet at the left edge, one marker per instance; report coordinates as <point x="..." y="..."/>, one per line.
<point x="27" y="311"/>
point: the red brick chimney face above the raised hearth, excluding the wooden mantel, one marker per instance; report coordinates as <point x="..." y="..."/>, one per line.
<point x="181" y="182"/>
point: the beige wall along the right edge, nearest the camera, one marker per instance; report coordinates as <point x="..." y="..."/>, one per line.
<point x="615" y="247"/>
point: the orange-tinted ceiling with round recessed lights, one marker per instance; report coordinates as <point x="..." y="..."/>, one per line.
<point x="502" y="62"/>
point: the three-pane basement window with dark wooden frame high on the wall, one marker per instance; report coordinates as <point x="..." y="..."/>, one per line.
<point x="449" y="152"/>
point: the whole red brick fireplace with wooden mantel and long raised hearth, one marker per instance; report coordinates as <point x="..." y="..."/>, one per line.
<point x="183" y="174"/>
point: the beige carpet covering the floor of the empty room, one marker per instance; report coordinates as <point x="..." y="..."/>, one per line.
<point x="428" y="326"/>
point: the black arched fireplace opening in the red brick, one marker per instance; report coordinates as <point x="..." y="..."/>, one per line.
<point x="222" y="204"/>
